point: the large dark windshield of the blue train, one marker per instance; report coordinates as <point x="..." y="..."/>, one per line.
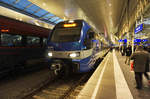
<point x="66" y="34"/>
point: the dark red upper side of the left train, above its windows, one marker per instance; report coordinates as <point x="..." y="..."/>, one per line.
<point x="18" y="27"/>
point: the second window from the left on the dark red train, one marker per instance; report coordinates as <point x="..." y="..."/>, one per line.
<point x="31" y="40"/>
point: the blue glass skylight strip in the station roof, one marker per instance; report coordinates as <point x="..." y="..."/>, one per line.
<point x="27" y="7"/>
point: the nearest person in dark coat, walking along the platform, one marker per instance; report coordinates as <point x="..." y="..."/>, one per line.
<point x="141" y="65"/>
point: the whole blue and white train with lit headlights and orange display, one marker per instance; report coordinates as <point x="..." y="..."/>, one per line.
<point x="73" y="47"/>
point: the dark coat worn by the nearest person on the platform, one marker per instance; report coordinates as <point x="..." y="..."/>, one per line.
<point x="141" y="61"/>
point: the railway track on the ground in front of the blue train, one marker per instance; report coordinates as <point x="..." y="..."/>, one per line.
<point x="62" y="89"/>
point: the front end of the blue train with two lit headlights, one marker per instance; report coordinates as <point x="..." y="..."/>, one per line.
<point x="65" y="48"/>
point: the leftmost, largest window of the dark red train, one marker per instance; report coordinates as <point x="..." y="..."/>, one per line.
<point x="10" y="40"/>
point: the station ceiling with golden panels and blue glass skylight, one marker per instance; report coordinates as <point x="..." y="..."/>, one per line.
<point x="110" y="18"/>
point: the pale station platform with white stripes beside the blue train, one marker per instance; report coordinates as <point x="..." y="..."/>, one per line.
<point x="113" y="79"/>
